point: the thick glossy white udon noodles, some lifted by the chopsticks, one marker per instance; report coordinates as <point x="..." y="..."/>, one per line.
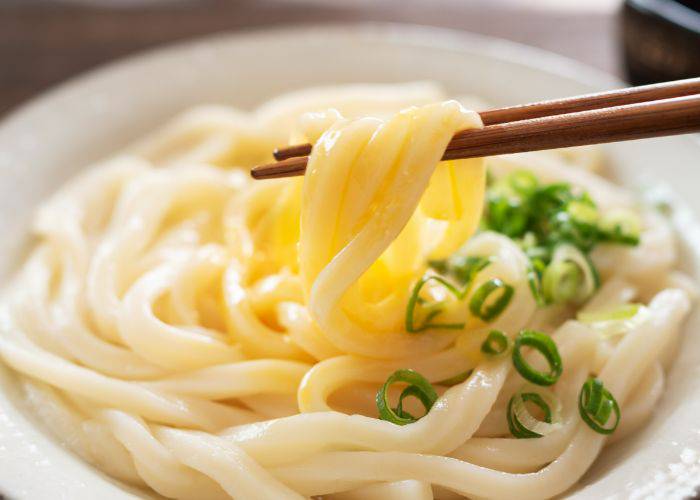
<point x="195" y="333"/>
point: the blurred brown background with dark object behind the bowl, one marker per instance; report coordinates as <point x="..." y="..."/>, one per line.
<point x="43" y="42"/>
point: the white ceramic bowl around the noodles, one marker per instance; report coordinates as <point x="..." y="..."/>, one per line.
<point x="50" y="139"/>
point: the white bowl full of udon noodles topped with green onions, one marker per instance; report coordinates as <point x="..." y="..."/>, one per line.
<point x="385" y="326"/>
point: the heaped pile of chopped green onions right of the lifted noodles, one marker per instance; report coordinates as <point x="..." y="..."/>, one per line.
<point x="541" y="218"/>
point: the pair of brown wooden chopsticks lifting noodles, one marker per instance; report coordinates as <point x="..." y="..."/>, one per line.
<point x="624" y="114"/>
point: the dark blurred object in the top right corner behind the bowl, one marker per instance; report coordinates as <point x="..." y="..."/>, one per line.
<point x="661" y="40"/>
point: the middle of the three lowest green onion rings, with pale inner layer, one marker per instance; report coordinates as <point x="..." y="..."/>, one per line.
<point x="522" y="424"/>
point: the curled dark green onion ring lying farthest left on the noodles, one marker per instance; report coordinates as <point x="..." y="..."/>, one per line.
<point x="418" y="387"/>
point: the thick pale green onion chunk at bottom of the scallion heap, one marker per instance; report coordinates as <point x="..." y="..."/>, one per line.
<point x="570" y="276"/>
